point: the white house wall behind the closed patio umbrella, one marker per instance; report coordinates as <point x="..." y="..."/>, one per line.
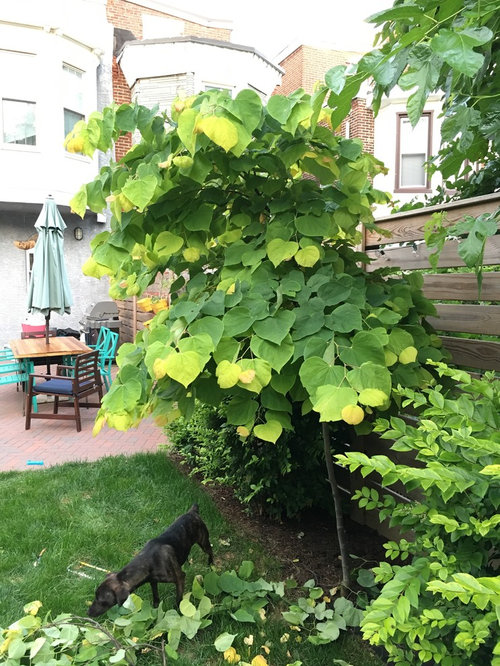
<point x="51" y="33"/>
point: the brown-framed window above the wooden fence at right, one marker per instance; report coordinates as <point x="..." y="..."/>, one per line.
<point x="413" y="148"/>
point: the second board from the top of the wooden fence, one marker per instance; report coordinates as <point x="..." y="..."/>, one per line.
<point x="411" y="258"/>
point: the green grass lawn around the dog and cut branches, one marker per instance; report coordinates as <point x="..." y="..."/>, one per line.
<point x="102" y="513"/>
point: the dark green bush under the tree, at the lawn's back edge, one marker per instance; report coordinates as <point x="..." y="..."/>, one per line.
<point x="274" y="478"/>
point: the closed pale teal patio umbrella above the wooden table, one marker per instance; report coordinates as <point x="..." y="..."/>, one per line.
<point x="49" y="288"/>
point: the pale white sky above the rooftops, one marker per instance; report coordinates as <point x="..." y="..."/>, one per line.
<point x="270" y="25"/>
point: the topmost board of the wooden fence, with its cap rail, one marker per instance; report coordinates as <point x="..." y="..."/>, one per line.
<point x="409" y="226"/>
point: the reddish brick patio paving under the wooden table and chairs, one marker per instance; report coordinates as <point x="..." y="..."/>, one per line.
<point x="55" y="442"/>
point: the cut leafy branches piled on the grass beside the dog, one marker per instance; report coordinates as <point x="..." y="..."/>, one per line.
<point x="136" y="632"/>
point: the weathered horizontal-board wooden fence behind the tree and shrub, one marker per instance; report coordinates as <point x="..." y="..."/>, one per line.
<point x="468" y="314"/>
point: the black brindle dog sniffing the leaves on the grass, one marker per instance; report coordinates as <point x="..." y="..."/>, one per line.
<point x="159" y="561"/>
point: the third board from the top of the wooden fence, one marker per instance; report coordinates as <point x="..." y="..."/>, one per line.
<point x="462" y="286"/>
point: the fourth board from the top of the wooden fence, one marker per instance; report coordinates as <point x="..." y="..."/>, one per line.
<point x="477" y="319"/>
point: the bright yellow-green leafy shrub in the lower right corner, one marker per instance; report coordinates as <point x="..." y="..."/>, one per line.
<point x="440" y="607"/>
